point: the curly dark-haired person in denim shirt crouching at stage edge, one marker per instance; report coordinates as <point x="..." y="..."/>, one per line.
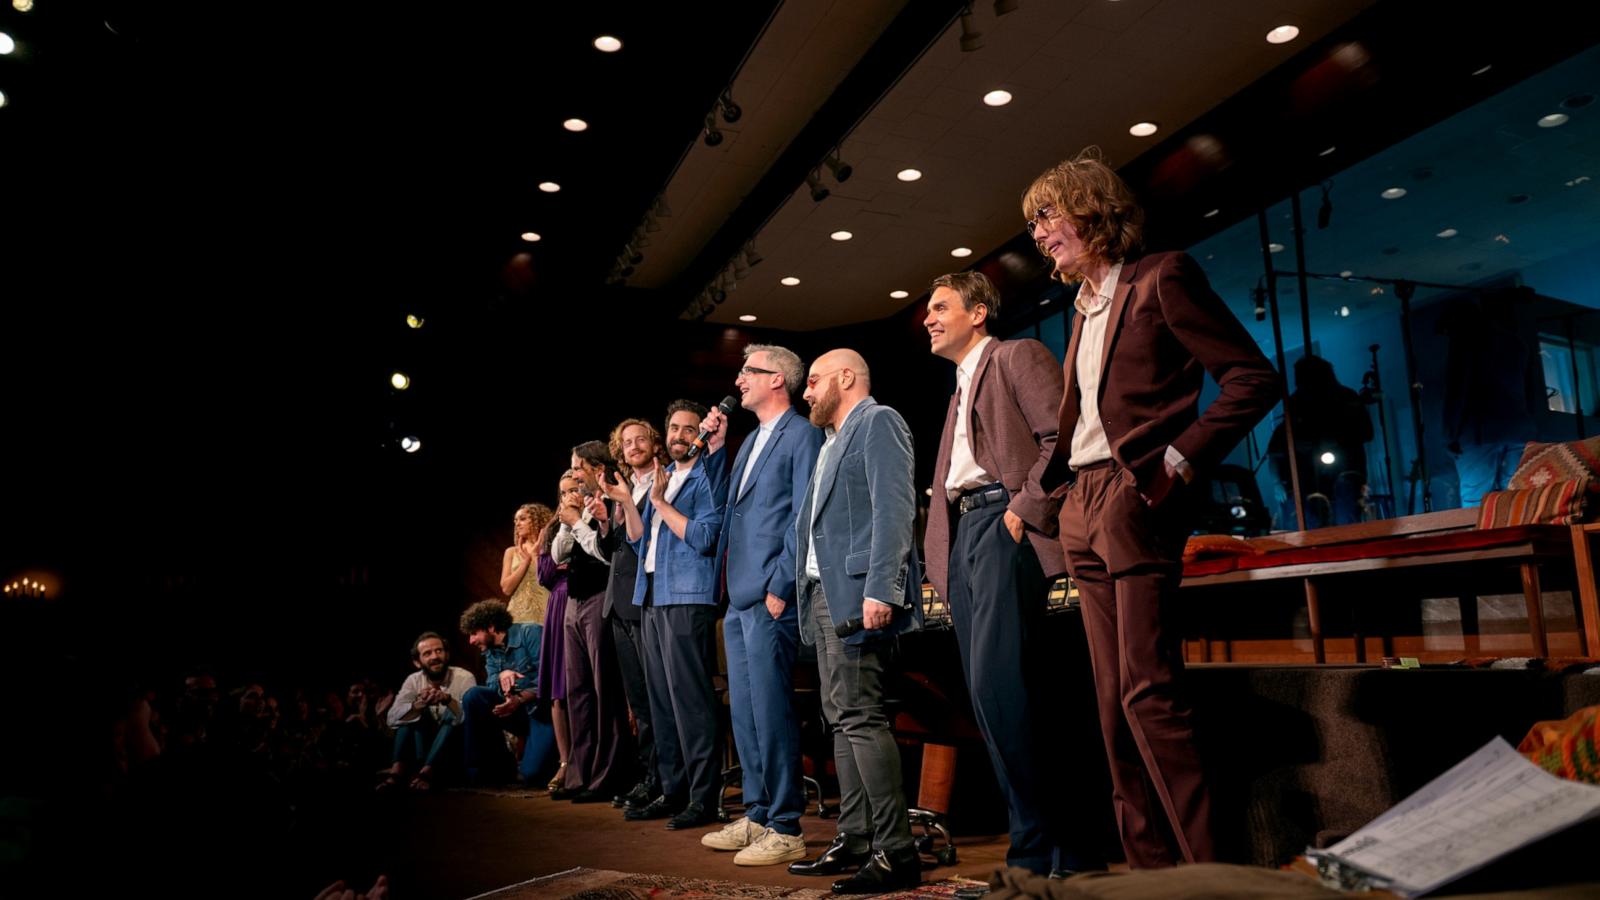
<point x="505" y="702"/>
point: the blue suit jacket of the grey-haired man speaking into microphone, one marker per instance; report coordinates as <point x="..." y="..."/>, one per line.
<point x="758" y="529"/>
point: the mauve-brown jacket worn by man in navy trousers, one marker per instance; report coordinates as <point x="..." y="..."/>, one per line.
<point x="1012" y="427"/>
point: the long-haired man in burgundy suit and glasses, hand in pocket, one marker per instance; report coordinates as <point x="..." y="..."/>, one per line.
<point x="1148" y="331"/>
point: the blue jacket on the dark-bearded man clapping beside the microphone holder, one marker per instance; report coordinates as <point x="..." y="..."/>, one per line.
<point x="686" y="568"/>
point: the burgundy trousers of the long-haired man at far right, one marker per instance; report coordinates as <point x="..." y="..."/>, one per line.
<point x="1127" y="561"/>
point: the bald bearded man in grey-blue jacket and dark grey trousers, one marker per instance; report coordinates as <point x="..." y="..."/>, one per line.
<point x="858" y="584"/>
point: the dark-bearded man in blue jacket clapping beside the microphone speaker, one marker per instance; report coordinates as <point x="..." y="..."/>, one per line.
<point x="676" y="537"/>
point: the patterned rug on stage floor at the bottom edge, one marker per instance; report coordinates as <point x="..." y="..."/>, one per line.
<point x="604" y="885"/>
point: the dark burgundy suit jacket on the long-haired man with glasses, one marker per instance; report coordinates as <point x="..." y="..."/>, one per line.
<point x="1167" y="329"/>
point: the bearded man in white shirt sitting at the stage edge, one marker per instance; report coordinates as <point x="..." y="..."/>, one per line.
<point x="426" y="713"/>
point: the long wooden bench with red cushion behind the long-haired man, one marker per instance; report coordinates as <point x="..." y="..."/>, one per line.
<point x="1436" y="539"/>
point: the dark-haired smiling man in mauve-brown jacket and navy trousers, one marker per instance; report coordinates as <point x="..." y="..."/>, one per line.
<point x="996" y="565"/>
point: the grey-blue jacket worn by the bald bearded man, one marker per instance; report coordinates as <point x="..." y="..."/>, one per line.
<point x="866" y="507"/>
